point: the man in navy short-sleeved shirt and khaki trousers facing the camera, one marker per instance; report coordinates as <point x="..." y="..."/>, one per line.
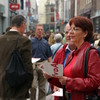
<point x="40" y="49"/>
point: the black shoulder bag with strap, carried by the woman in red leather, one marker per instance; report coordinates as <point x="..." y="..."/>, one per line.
<point x="95" y="93"/>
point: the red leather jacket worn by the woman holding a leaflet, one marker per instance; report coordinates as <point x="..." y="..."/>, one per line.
<point x="78" y="84"/>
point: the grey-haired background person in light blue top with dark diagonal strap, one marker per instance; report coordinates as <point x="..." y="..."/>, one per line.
<point x="55" y="47"/>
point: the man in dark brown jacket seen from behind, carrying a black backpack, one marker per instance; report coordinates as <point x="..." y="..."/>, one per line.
<point x="7" y="45"/>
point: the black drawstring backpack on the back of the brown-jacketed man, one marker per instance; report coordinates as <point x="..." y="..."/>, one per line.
<point x="16" y="71"/>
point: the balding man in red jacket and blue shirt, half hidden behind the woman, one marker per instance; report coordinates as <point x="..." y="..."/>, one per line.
<point x="61" y="56"/>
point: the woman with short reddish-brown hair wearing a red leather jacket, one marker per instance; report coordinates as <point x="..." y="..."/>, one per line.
<point x="73" y="80"/>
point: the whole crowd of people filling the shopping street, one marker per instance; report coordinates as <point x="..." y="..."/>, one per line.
<point x="66" y="48"/>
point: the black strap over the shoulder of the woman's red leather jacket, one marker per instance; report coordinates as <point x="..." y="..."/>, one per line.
<point x="86" y="60"/>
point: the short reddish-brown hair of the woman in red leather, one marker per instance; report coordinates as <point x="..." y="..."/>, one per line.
<point x="85" y="24"/>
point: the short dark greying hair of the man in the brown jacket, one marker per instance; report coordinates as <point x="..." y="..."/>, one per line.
<point x="18" y="20"/>
